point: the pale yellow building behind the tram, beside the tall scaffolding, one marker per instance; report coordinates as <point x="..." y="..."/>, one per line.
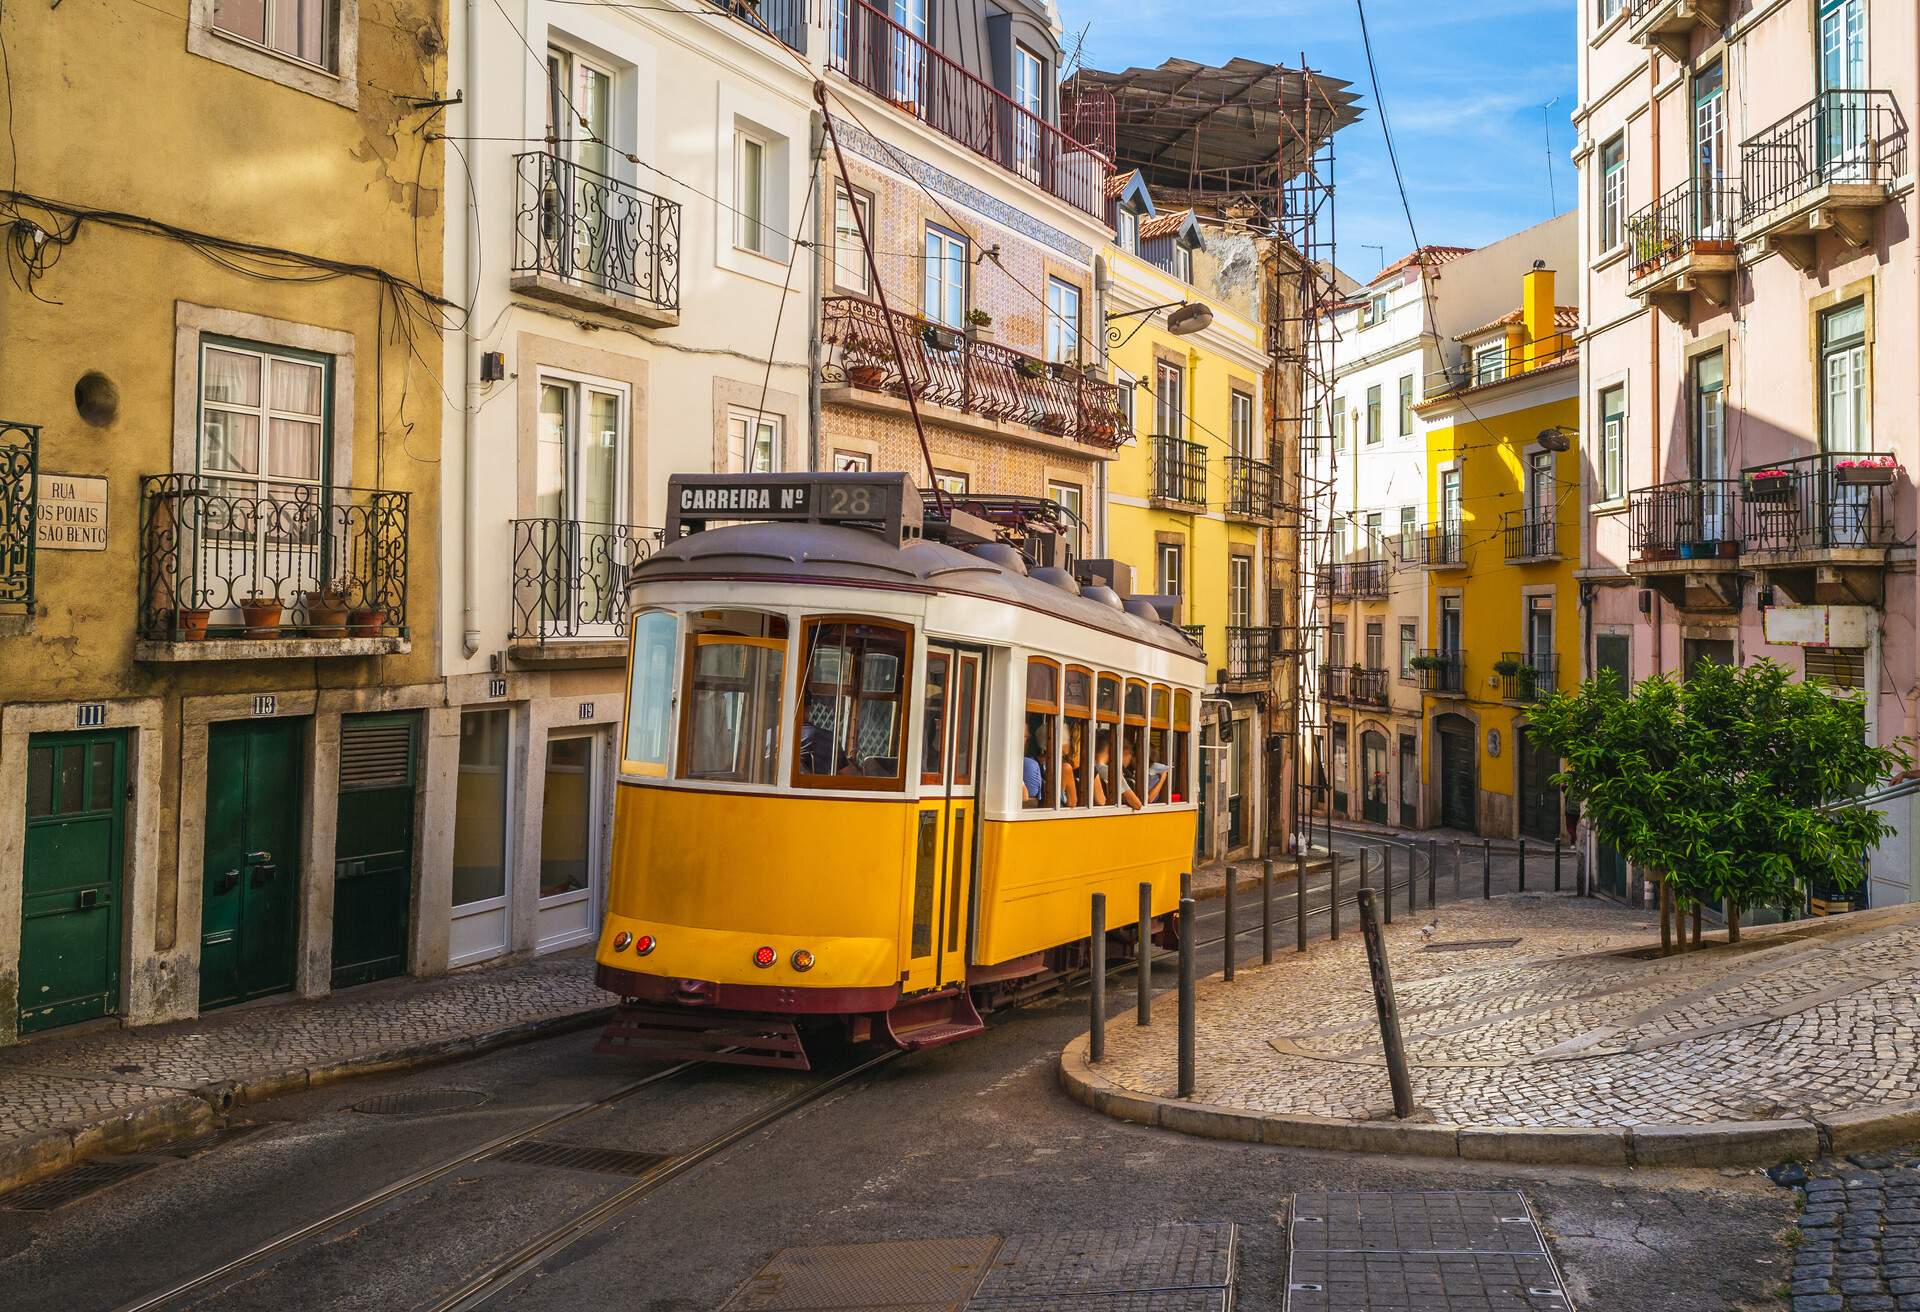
<point x="1189" y="506"/>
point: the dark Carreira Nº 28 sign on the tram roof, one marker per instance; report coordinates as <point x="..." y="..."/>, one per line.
<point x="888" y="504"/>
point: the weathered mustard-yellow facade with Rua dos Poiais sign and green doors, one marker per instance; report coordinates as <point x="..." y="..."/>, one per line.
<point x="212" y="685"/>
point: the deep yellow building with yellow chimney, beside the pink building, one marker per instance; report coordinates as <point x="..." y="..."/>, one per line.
<point x="1500" y="560"/>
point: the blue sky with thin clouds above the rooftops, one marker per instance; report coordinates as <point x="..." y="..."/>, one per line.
<point x="1464" y="87"/>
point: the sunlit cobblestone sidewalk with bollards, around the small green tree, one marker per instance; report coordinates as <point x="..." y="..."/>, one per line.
<point x="1541" y="1011"/>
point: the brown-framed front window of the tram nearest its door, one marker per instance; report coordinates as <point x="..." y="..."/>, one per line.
<point x="853" y="679"/>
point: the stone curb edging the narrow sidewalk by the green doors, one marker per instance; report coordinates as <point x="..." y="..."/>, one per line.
<point x="176" y="1117"/>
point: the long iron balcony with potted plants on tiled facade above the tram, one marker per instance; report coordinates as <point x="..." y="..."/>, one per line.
<point x="994" y="383"/>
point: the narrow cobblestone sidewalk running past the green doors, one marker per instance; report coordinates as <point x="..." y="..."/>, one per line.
<point x="120" y="1090"/>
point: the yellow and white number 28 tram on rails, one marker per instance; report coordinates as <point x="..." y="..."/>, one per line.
<point x="875" y="767"/>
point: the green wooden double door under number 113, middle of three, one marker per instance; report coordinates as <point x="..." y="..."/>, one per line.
<point x="251" y="906"/>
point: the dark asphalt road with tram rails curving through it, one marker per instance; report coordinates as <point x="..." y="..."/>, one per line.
<point x="974" y="1138"/>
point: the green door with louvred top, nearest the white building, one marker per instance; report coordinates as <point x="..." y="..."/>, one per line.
<point x="373" y="848"/>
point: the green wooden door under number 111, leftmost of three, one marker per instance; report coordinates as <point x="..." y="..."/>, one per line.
<point x="72" y="896"/>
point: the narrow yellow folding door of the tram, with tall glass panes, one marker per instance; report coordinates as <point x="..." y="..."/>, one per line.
<point x="944" y="852"/>
